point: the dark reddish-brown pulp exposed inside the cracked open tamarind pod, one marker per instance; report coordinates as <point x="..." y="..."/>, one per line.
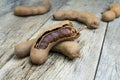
<point x="54" y="36"/>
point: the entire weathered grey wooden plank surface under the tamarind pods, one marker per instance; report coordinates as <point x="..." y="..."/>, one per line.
<point x="99" y="48"/>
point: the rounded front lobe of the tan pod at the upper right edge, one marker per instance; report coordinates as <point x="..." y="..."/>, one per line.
<point x="108" y="16"/>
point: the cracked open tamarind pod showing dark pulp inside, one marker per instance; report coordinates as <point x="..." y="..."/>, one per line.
<point x="55" y="34"/>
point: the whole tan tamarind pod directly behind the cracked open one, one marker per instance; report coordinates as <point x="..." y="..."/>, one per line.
<point x="85" y="17"/>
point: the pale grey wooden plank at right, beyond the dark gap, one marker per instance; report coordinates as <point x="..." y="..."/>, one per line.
<point x="109" y="67"/>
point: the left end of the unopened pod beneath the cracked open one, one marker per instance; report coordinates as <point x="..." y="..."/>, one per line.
<point x="22" y="49"/>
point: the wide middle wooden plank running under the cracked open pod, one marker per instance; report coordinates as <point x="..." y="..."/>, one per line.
<point x="58" y="67"/>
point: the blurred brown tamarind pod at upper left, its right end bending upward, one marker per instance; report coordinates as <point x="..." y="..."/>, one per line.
<point x="33" y="10"/>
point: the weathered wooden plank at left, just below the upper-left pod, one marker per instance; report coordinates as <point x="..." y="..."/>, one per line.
<point x="20" y="28"/>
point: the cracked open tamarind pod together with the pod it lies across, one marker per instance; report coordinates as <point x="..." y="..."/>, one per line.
<point x="58" y="37"/>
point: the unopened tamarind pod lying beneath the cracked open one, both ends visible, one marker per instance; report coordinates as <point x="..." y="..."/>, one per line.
<point x="68" y="48"/>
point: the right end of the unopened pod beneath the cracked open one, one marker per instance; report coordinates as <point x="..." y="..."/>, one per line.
<point x="70" y="49"/>
